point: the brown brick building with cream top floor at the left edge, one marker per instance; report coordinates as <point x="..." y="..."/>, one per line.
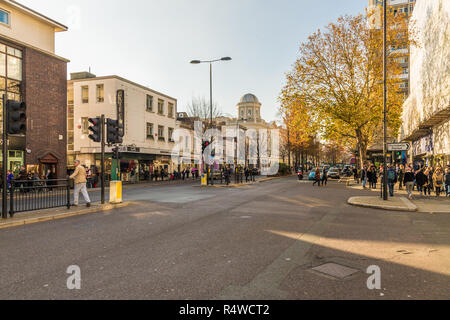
<point x="30" y="71"/>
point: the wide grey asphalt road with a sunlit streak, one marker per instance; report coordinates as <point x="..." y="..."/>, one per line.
<point x="255" y="242"/>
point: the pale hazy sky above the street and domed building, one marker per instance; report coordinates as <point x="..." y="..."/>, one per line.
<point x="152" y="41"/>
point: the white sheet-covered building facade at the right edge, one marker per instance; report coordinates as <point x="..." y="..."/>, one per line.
<point x="426" y="114"/>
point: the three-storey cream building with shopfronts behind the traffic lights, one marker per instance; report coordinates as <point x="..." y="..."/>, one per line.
<point x="149" y="119"/>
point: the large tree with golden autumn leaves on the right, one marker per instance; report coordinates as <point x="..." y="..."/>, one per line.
<point x="338" y="79"/>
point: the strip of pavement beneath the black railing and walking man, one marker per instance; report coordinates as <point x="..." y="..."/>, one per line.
<point x="58" y="213"/>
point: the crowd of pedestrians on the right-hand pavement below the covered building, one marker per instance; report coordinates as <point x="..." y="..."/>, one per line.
<point x="425" y="178"/>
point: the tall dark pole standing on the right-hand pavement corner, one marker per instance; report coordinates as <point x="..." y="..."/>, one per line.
<point x="385" y="196"/>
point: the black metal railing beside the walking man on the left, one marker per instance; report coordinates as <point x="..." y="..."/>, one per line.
<point x="30" y="195"/>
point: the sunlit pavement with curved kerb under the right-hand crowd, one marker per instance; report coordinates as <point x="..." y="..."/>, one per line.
<point x="400" y="202"/>
